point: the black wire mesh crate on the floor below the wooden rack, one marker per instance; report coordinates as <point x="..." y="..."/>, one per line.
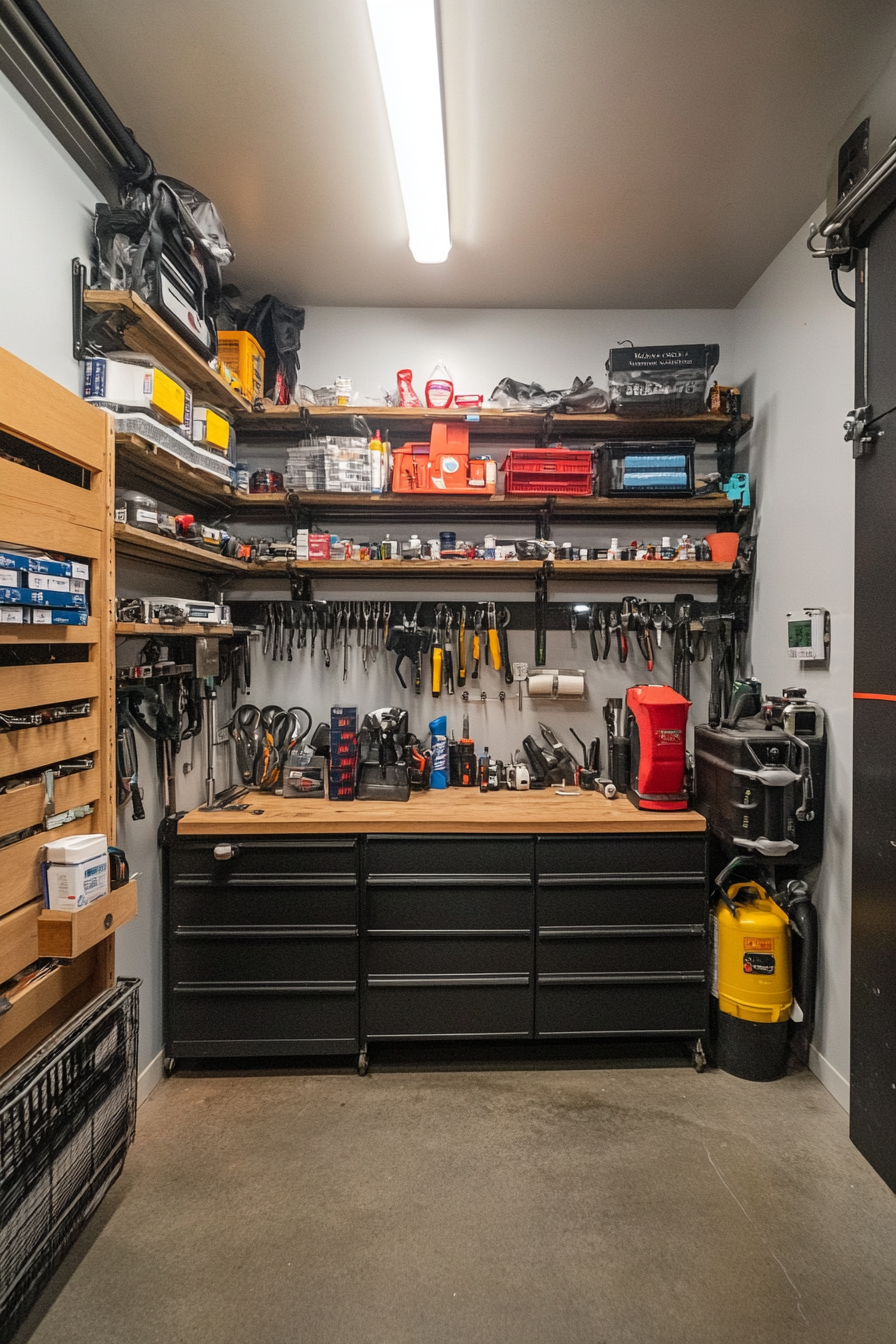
<point x="68" y="1118"/>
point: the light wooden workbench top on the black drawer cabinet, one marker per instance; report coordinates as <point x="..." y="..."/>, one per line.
<point x="464" y="811"/>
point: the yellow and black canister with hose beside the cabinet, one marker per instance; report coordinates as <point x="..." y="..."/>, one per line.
<point x="756" y="967"/>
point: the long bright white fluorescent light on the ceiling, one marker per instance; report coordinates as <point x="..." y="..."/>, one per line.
<point x="409" y="58"/>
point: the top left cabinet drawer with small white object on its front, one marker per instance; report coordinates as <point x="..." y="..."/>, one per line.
<point x="287" y="855"/>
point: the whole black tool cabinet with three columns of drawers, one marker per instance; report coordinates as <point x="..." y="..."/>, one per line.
<point x="322" y="944"/>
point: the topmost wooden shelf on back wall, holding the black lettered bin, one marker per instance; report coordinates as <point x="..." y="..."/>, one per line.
<point x="491" y="421"/>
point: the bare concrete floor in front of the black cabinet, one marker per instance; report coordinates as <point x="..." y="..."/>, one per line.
<point x="601" y="1206"/>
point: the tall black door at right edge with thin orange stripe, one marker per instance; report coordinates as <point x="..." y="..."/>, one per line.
<point x="874" y="919"/>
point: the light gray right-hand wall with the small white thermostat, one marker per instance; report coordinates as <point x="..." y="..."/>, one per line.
<point x="795" y="357"/>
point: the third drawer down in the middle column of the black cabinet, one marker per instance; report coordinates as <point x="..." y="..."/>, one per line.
<point x="449" y="952"/>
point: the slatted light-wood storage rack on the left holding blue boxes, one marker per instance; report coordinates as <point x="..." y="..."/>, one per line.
<point x="57" y="729"/>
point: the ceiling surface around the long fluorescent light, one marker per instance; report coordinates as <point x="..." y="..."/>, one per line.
<point x="602" y="154"/>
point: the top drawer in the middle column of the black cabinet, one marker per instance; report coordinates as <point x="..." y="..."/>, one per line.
<point x="451" y="854"/>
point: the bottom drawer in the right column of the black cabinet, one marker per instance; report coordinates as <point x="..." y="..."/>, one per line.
<point x="612" y="1006"/>
